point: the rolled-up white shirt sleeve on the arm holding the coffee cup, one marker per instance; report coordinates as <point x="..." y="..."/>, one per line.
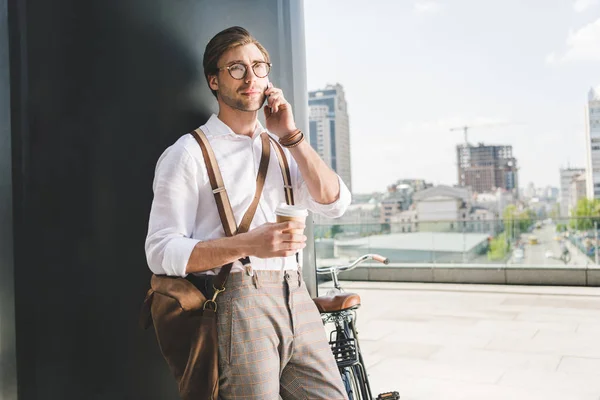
<point x="169" y="243"/>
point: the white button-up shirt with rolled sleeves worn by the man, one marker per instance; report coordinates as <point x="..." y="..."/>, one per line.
<point x="184" y="211"/>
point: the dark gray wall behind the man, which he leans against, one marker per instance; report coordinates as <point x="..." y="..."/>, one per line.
<point x="99" y="88"/>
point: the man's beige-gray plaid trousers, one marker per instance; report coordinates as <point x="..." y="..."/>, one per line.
<point x="272" y="344"/>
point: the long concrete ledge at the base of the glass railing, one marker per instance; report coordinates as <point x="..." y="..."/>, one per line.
<point x="477" y="274"/>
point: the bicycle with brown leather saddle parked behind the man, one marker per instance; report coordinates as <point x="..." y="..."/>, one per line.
<point x="339" y="308"/>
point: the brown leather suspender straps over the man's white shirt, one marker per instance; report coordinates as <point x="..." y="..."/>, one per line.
<point x="220" y="193"/>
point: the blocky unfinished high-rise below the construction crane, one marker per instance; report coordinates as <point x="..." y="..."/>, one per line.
<point x="487" y="168"/>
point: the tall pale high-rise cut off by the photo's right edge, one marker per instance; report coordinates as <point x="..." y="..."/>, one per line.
<point x="592" y="143"/>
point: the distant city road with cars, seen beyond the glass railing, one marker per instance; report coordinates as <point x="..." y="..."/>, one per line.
<point x="535" y="254"/>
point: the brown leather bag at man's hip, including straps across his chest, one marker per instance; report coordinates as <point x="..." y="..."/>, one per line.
<point x="184" y="320"/>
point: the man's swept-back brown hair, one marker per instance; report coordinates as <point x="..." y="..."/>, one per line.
<point x="223" y="41"/>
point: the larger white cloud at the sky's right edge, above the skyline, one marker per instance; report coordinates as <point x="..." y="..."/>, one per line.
<point x="582" y="45"/>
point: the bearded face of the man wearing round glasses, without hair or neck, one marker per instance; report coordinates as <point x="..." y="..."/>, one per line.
<point x="247" y="94"/>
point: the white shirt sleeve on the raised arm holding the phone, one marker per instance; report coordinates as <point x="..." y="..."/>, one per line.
<point x="303" y="198"/>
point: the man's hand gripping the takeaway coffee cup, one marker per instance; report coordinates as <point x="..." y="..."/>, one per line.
<point x="271" y="240"/>
